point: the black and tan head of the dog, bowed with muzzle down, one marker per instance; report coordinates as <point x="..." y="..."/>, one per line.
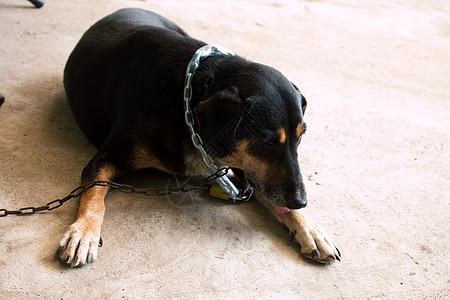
<point x="253" y="121"/>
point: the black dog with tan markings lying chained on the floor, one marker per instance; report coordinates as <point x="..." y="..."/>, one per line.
<point x="125" y="80"/>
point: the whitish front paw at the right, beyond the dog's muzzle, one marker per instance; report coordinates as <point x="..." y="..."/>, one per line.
<point x="315" y="243"/>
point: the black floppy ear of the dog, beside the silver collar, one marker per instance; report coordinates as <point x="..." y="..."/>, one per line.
<point x="218" y="118"/>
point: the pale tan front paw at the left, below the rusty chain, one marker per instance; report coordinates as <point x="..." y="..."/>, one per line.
<point x="79" y="246"/>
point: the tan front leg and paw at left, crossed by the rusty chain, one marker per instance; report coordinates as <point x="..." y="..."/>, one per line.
<point x="79" y="245"/>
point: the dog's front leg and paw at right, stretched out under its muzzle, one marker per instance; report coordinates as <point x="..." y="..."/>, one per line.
<point x="314" y="241"/>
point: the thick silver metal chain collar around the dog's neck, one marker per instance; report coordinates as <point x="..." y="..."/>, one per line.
<point x="225" y="183"/>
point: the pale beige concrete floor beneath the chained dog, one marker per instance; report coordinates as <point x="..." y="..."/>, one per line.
<point x="375" y="158"/>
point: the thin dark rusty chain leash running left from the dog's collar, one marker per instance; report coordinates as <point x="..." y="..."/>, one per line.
<point x="121" y="187"/>
